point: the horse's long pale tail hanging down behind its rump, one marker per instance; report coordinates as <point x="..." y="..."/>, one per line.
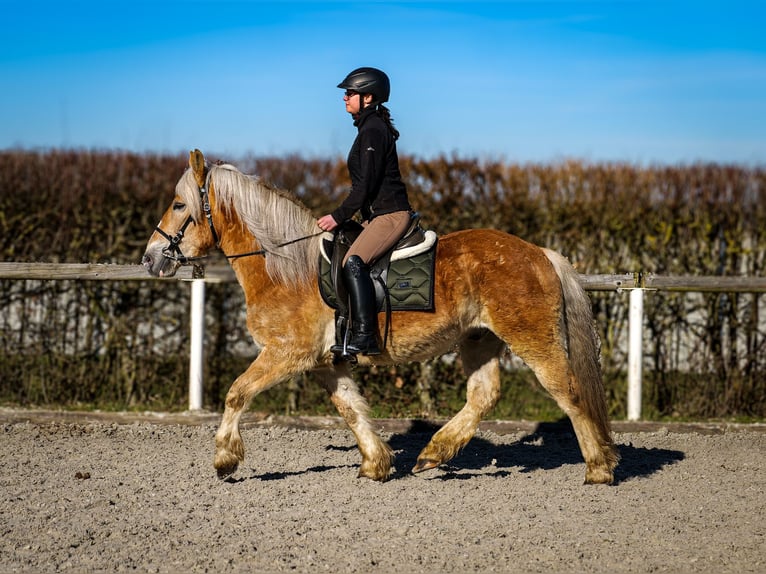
<point x="582" y="341"/>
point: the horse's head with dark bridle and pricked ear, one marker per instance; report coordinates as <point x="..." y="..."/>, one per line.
<point x="183" y="235"/>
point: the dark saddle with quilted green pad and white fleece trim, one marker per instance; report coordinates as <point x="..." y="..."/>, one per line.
<point x="403" y="277"/>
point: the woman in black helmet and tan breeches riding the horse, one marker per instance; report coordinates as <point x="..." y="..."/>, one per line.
<point x="377" y="192"/>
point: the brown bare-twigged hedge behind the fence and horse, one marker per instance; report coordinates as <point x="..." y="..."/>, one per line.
<point x="125" y="344"/>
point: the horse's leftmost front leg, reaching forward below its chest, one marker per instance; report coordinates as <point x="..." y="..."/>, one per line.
<point x="268" y="369"/>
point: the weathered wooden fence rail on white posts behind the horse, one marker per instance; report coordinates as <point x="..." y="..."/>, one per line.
<point x="636" y="283"/>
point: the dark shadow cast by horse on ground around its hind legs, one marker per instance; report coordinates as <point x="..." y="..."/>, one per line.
<point x="548" y="446"/>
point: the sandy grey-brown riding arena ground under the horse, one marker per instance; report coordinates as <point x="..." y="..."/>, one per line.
<point x="111" y="493"/>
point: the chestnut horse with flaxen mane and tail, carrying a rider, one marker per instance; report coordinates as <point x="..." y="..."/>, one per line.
<point x="492" y="291"/>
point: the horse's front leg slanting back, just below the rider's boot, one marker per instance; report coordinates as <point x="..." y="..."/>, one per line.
<point x="377" y="456"/>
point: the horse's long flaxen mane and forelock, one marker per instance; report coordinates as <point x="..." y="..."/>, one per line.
<point x="274" y="217"/>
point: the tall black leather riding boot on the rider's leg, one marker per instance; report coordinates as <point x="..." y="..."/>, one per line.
<point x="364" y="314"/>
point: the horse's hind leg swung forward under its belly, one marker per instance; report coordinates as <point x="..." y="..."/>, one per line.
<point x="480" y="352"/>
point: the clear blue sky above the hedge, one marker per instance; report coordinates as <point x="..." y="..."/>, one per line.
<point x="645" y="82"/>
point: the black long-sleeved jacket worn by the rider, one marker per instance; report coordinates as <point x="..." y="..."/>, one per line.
<point x="373" y="164"/>
